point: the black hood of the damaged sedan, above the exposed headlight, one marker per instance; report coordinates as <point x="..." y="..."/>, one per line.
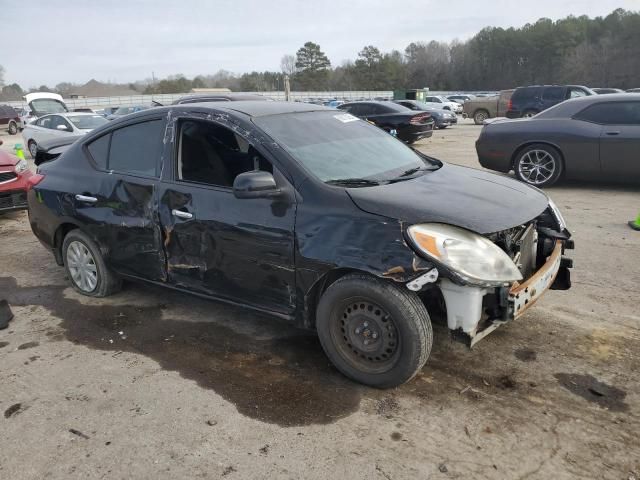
<point x="468" y="198"/>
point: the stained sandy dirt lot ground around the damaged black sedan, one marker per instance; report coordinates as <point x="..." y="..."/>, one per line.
<point x="152" y="384"/>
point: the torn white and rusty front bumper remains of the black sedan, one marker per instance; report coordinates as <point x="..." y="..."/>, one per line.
<point x="466" y="305"/>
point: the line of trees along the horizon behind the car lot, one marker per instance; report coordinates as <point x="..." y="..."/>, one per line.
<point x="601" y="51"/>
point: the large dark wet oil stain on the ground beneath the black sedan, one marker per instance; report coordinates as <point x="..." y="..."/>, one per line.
<point x="284" y="379"/>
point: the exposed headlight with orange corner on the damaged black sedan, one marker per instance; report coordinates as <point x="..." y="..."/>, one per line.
<point x="473" y="257"/>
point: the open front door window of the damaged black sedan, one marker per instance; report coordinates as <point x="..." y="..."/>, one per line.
<point x="211" y="154"/>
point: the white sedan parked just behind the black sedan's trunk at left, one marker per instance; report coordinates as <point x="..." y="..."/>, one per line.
<point x="60" y="125"/>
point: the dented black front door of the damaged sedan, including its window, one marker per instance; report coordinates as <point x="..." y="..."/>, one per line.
<point x="241" y="250"/>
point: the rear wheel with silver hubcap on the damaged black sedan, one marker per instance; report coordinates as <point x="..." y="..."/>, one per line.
<point x="85" y="266"/>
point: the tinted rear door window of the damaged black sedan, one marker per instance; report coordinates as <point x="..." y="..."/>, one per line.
<point x="136" y="148"/>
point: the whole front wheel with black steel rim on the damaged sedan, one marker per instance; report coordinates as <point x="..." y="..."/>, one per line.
<point x="374" y="332"/>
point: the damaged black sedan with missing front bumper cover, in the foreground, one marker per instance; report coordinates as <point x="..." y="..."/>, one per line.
<point x="306" y="213"/>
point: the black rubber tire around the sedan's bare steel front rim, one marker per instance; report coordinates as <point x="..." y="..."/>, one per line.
<point x="409" y="315"/>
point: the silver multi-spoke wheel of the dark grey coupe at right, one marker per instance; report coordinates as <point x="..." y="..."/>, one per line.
<point x="539" y="165"/>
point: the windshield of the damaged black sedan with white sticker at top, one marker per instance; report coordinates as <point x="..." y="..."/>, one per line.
<point x="342" y="149"/>
